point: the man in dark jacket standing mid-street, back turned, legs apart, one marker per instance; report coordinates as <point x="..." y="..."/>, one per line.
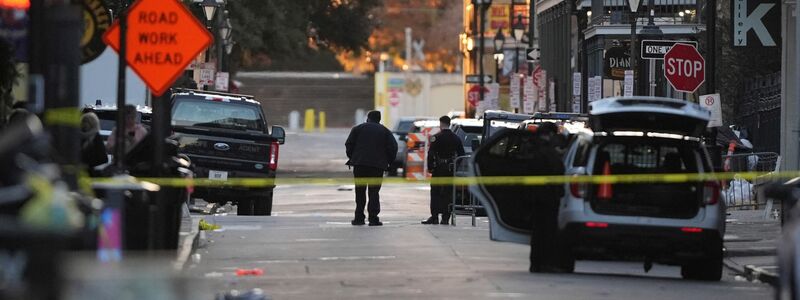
<point x="370" y="149"/>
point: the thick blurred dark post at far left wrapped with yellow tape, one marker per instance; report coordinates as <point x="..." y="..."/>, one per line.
<point x="56" y="30"/>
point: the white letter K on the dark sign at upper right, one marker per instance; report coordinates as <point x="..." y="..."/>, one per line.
<point x="743" y="23"/>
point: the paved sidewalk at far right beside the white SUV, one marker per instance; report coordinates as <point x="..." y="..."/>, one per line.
<point x="750" y="245"/>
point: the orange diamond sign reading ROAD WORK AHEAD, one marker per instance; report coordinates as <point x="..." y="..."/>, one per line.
<point x="163" y="38"/>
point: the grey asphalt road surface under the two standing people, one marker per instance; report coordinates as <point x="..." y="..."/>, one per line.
<point x="308" y="250"/>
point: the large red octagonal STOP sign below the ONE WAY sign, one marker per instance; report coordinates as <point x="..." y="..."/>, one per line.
<point x="684" y="68"/>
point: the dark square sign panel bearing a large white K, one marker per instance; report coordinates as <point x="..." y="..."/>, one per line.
<point x="756" y="23"/>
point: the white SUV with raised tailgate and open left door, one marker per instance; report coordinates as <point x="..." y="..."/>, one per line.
<point x="669" y="223"/>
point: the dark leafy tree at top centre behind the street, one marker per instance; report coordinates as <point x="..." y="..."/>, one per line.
<point x="287" y="34"/>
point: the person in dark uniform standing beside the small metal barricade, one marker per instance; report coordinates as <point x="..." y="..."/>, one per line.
<point x="444" y="148"/>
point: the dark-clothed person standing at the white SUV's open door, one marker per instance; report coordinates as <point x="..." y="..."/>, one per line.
<point x="547" y="254"/>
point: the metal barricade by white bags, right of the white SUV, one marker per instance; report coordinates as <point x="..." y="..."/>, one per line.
<point x="743" y="194"/>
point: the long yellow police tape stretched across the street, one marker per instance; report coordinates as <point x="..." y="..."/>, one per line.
<point x="483" y="180"/>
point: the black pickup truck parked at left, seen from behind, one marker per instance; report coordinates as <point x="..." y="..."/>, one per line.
<point x="226" y="136"/>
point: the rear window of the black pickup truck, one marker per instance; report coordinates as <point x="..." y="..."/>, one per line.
<point x="228" y="115"/>
